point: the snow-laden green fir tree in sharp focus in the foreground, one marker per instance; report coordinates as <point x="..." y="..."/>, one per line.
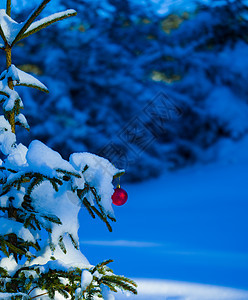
<point x="41" y="195"/>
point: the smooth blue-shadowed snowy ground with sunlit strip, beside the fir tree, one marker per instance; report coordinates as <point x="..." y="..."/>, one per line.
<point x="189" y="225"/>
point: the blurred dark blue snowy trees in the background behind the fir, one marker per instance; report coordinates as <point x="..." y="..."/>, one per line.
<point x="127" y="62"/>
